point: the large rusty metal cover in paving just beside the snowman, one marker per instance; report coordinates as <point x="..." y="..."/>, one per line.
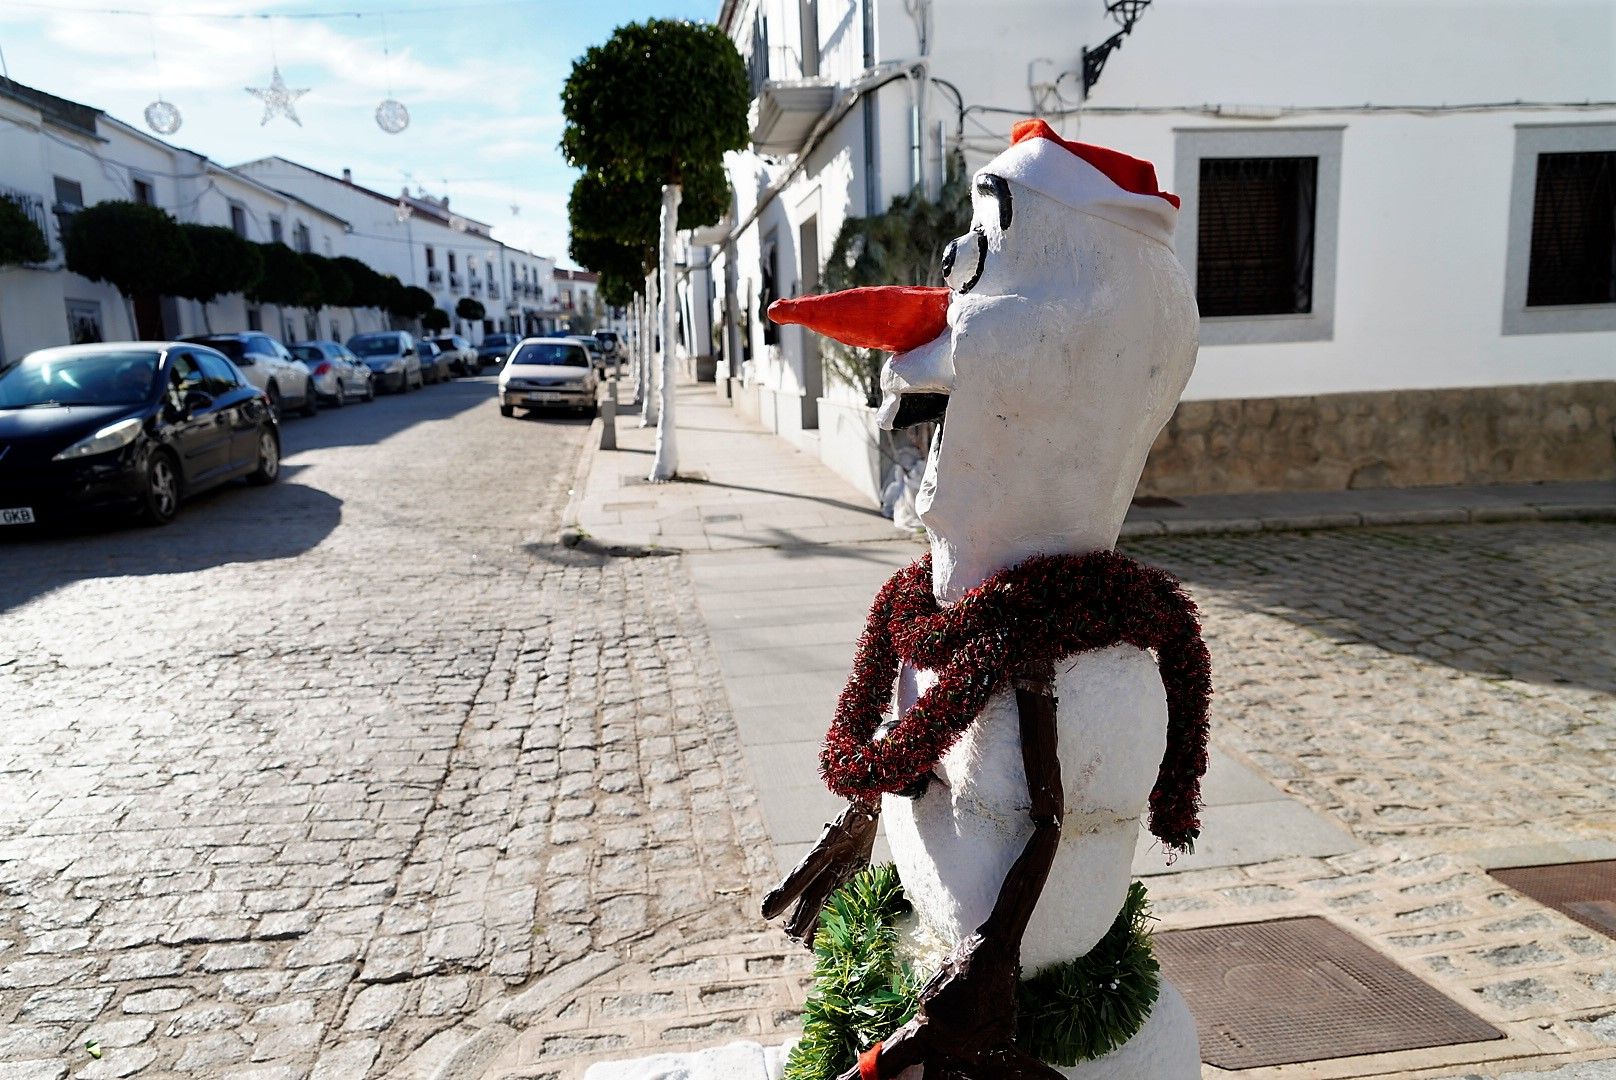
<point x="1298" y="990"/>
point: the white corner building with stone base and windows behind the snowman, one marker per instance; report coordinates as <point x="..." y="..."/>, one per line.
<point x="1397" y="216"/>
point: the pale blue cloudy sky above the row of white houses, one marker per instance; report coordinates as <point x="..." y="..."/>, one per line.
<point x="482" y="82"/>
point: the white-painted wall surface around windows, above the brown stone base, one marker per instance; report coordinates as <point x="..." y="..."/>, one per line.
<point x="1425" y="206"/>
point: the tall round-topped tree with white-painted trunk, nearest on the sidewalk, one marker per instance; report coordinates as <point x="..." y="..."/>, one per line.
<point x="659" y="104"/>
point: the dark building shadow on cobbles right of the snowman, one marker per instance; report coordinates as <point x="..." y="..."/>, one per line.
<point x="1533" y="602"/>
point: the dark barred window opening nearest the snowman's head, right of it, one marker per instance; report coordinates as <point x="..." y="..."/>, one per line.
<point x="1256" y="235"/>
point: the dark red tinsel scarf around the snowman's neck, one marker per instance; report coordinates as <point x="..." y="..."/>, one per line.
<point x="1038" y="612"/>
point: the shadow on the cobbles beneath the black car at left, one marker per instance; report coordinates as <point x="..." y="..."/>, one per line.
<point x="229" y="525"/>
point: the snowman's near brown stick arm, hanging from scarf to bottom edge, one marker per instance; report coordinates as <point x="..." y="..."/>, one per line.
<point x="967" y="1023"/>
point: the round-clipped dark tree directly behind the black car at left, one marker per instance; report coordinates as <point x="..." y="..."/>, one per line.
<point x="135" y="248"/>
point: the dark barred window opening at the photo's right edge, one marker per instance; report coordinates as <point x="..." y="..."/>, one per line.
<point x="1573" y="230"/>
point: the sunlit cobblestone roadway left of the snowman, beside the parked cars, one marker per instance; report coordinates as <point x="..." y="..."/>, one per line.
<point x="322" y="769"/>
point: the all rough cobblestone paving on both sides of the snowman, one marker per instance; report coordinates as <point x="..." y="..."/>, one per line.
<point x="360" y="775"/>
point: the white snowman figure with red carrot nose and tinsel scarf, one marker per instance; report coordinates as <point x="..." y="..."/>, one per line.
<point x="1024" y="694"/>
